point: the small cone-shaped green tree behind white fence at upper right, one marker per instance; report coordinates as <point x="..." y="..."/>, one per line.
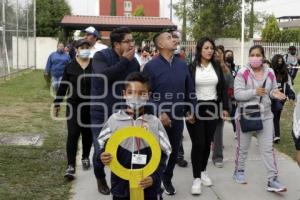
<point x="271" y="32"/>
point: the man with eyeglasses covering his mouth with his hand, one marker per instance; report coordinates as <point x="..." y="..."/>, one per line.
<point x="115" y="64"/>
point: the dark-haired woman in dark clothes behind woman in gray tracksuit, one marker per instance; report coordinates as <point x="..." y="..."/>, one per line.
<point x="284" y="85"/>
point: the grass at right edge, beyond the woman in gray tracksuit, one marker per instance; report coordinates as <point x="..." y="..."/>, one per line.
<point x="286" y="141"/>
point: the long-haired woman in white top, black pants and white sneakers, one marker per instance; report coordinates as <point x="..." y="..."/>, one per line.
<point x="212" y="100"/>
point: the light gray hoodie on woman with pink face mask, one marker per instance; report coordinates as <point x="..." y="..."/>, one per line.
<point x="245" y="91"/>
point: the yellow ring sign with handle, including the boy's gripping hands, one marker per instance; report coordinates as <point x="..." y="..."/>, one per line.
<point x="136" y="177"/>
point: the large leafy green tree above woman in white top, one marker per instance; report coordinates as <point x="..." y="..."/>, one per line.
<point x="214" y="18"/>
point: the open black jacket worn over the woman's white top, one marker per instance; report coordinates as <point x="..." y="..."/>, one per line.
<point x="221" y="86"/>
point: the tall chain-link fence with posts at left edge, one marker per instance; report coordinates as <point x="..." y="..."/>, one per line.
<point x="17" y="36"/>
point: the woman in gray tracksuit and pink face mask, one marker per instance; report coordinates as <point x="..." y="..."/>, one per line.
<point x="255" y="85"/>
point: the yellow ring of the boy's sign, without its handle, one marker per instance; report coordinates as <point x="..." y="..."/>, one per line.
<point x="124" y="133"/>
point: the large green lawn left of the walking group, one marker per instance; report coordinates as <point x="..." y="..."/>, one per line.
<point x="28" y="172"/>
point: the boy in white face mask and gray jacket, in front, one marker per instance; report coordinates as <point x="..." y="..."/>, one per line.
<point x="136" y="94"/>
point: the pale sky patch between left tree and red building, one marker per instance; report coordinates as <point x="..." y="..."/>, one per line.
<point x="84" y="7"/>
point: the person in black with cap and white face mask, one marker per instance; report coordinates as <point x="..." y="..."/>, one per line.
<point x="76" y="83"/>
